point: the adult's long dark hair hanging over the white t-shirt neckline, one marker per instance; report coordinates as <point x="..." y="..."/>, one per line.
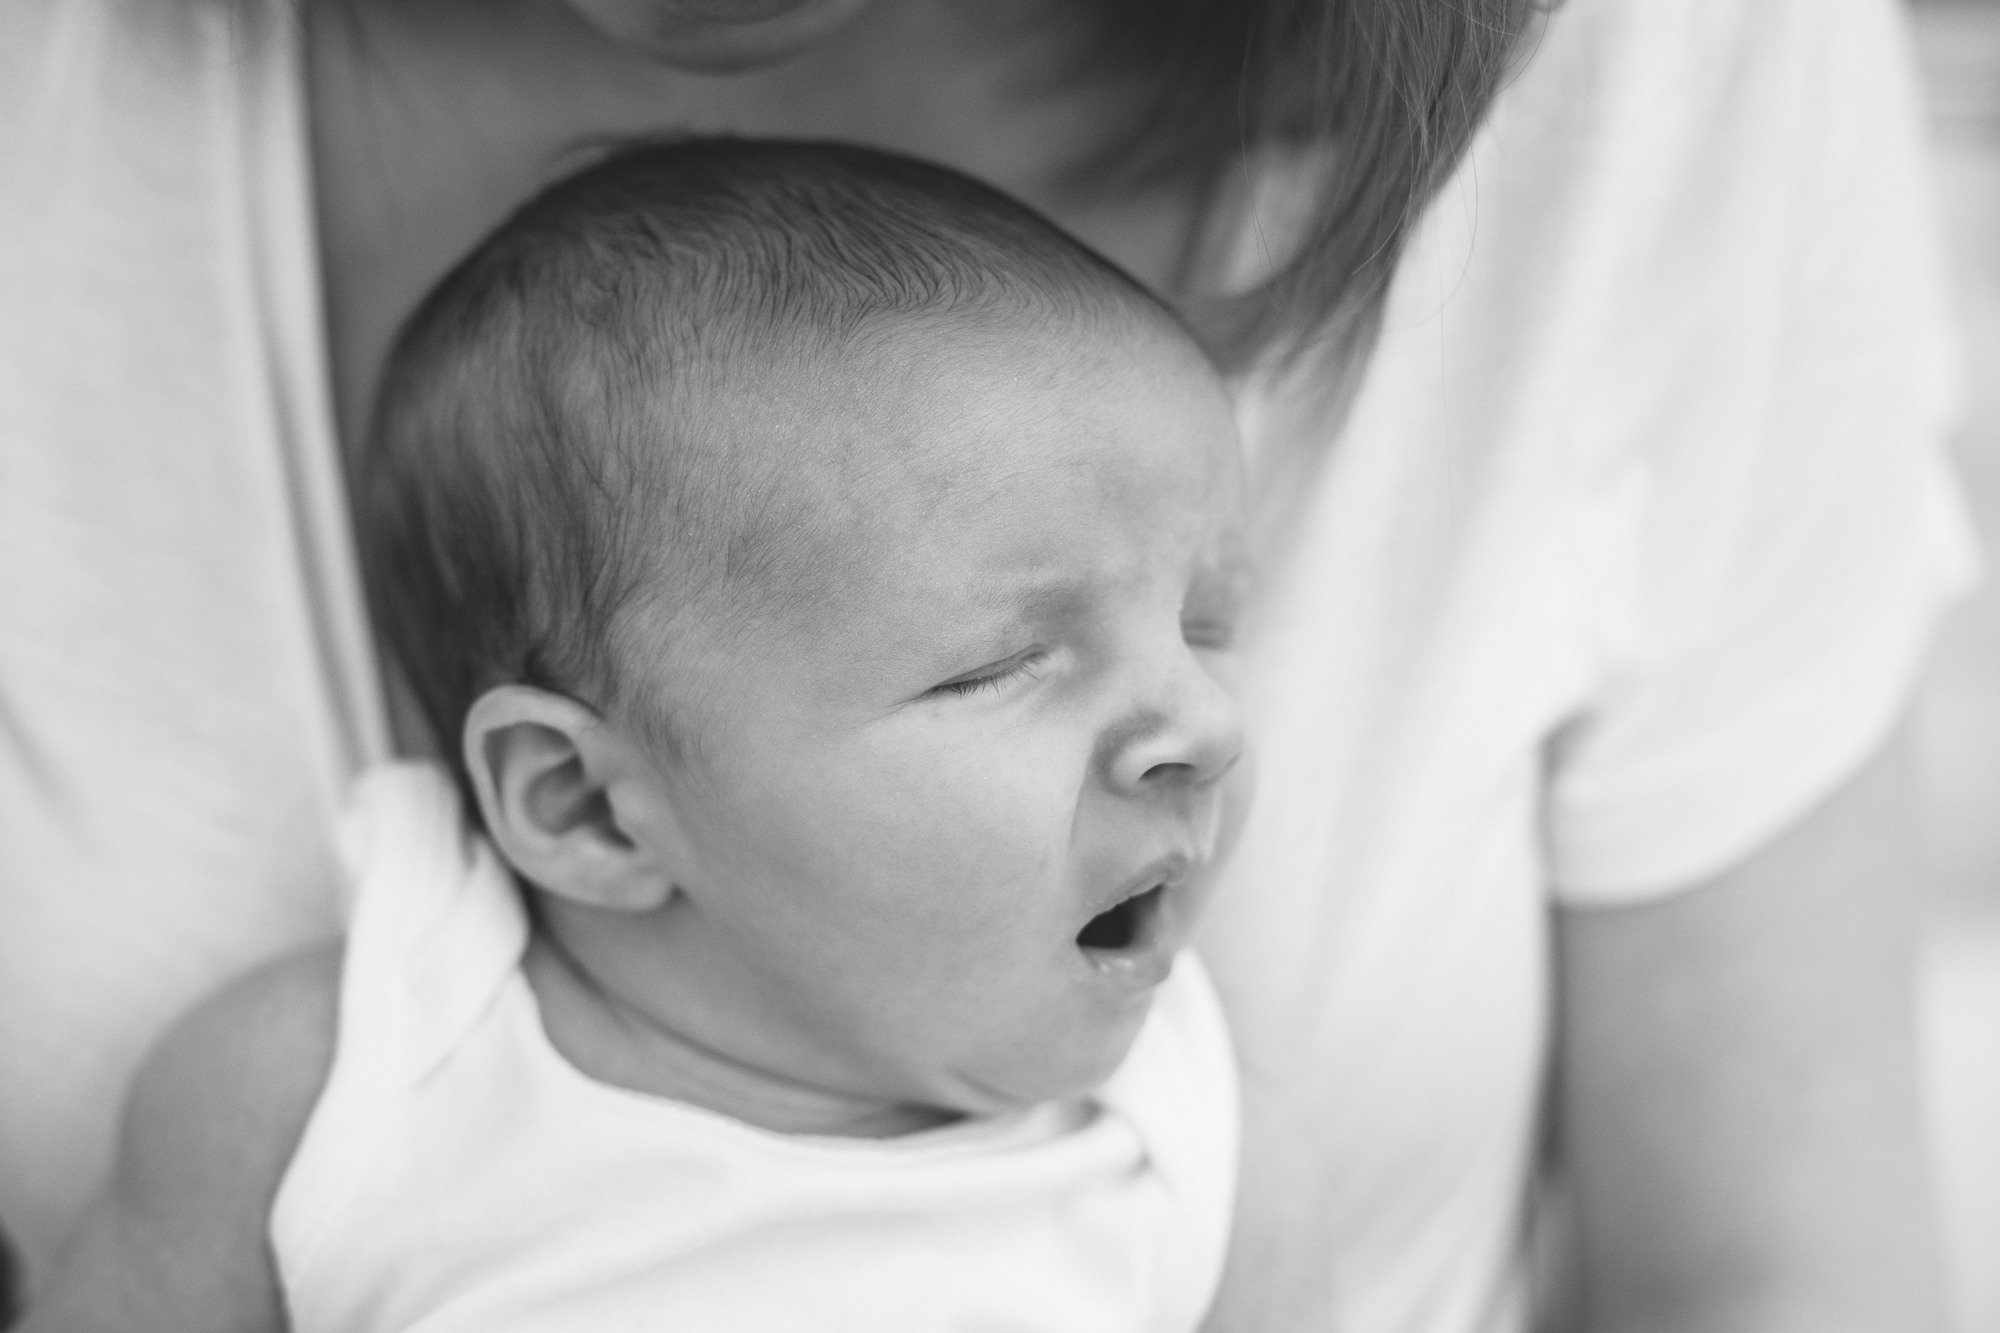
<point x="1393" y="89"/>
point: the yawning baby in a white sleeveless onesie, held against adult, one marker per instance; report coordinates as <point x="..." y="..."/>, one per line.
<point x="827" y="573"/>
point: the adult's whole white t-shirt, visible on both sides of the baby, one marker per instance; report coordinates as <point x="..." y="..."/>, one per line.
<point x="1625" y="557"/>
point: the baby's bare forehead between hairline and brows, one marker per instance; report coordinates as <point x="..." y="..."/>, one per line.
<point x="895" y="491"/>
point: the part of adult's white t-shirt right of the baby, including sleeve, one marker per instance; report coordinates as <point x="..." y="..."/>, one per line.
<point x="1627" y="557"/>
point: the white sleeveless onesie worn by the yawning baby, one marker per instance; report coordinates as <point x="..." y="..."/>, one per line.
<point x="459" y="1174"/>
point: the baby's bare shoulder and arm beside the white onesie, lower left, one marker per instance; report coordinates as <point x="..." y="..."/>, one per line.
<point x="179" y="1240"/>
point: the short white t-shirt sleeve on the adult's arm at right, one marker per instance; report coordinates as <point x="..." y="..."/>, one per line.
<point x="1773" y="517"/>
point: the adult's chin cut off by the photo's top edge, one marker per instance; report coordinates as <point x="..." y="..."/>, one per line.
<point x="719" y="37"/>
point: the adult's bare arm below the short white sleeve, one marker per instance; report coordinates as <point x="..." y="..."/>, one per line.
<point x="1737" y="1114"/>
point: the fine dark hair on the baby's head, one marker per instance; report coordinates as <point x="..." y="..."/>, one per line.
<point x="539" y="437"/>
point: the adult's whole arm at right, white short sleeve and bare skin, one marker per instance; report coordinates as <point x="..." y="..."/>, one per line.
<point x="1735" y="1072"/>
